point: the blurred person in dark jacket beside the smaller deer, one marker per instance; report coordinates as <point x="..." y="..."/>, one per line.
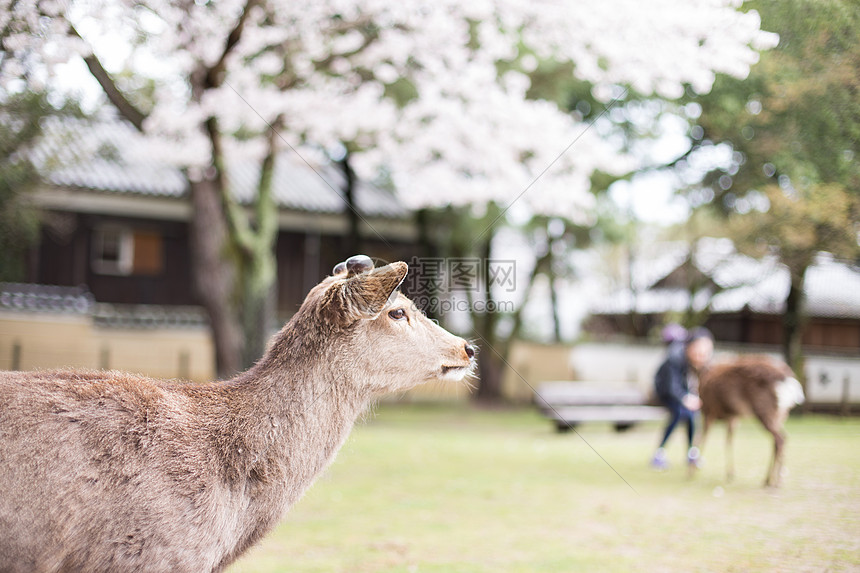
<point x="675" y="384"/>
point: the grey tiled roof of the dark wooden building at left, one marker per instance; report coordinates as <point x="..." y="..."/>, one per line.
<point x="107" y="155"/>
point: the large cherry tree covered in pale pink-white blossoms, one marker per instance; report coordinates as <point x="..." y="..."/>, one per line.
<point x="436" y="93"/>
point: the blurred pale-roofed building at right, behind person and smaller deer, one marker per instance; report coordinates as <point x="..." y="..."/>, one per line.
<point x="741" y="297"/>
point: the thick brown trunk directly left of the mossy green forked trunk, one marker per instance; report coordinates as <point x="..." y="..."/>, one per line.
<point x="213" y="276"/>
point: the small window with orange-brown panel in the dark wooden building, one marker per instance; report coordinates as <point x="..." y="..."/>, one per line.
<point x="118" y="250"/>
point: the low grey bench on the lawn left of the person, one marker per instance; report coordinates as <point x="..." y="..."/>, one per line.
<point x="570" y="403"/>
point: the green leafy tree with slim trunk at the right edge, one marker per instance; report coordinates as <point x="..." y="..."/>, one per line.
<point x="792" y="188"/>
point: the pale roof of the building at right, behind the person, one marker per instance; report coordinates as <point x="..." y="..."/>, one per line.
<point x="832" y="287"/>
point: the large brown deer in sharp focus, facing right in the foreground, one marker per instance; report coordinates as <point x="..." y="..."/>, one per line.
<point x="105" y="471"/>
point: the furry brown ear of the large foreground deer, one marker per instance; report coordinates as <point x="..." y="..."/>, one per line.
<point x="365" y="295"/>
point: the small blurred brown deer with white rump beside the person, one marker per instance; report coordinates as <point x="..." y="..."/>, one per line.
<point x="753" y="385"/>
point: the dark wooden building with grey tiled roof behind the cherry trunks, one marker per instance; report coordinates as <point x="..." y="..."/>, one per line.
<point x="115" y="217"/>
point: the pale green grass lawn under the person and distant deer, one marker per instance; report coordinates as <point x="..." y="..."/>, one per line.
<point x="454" y="489"/>
